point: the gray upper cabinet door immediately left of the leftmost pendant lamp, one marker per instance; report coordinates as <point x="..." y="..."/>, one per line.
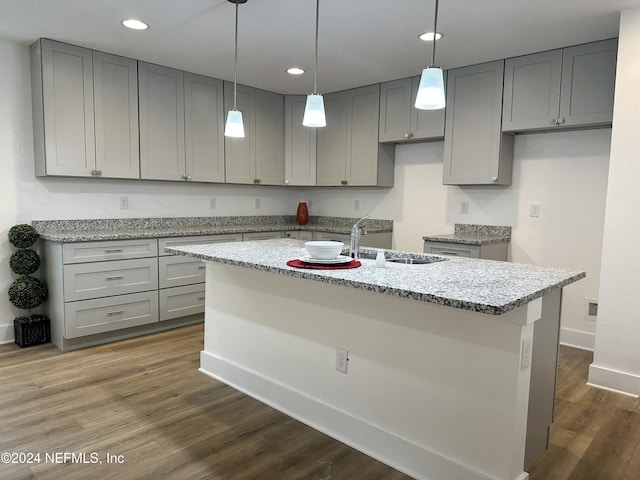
<point x="204" y="128"/>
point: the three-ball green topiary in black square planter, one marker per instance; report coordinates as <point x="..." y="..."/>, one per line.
<point x="27" y="292"/>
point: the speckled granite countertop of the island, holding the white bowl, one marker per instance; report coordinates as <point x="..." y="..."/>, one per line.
<point x="484" y="286"/>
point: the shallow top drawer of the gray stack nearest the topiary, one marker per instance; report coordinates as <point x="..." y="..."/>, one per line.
<point x="108" y="250"/>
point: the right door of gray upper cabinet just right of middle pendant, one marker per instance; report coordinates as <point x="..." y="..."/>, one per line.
<point x="362" y="135"/>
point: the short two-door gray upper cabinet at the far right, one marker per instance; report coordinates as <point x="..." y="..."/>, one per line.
<point x="567" y="88"/>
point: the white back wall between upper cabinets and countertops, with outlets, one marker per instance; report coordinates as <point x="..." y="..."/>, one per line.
<point x="565" y="172"/>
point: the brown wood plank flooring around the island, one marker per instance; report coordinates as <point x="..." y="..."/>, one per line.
<point x="144" y="400"/>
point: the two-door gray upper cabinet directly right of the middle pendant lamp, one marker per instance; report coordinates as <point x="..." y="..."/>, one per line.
<point x="348" y="152"/>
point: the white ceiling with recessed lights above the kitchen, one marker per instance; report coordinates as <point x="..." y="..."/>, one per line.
<point x="361" y="41"/>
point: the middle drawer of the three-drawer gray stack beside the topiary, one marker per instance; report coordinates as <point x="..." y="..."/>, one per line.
<point x="83" y="281"/>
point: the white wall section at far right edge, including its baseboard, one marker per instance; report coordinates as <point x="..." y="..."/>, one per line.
<point x="616" y="362"/>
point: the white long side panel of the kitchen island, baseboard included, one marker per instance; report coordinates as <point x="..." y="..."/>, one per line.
<point x="433" y="391"/>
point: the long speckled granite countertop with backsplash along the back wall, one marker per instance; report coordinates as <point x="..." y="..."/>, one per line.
<point x="88" y="230"/>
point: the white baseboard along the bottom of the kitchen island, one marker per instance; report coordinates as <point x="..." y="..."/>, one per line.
<point x="399" y="453"/>
